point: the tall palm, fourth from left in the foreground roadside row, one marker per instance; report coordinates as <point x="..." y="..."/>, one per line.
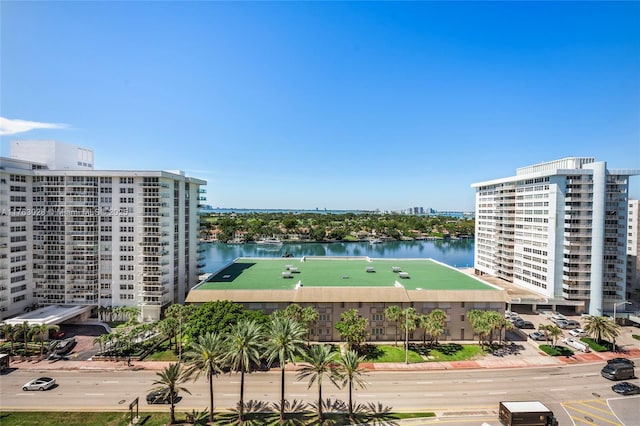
<point x="285" y="341"/>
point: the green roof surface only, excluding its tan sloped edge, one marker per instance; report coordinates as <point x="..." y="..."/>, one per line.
<point x="266" y="274"/>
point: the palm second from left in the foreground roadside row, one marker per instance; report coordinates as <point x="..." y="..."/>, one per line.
<point x="205" y="357"/>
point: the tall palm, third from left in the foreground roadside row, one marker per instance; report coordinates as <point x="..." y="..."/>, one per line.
<point x="244" y="343"/>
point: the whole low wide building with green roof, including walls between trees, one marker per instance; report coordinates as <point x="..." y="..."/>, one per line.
<point x="333" y="285"/>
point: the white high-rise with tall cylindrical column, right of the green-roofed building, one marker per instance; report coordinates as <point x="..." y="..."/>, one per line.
<point x="559" y="230"/>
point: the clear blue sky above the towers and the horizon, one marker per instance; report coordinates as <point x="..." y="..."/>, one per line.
<point x="355" y="105"/>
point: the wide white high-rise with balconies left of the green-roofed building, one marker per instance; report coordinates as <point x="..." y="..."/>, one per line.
<point x="95" y="237"/>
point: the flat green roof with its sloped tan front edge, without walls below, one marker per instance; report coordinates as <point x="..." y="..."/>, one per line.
<point x="342" y="279"/>
